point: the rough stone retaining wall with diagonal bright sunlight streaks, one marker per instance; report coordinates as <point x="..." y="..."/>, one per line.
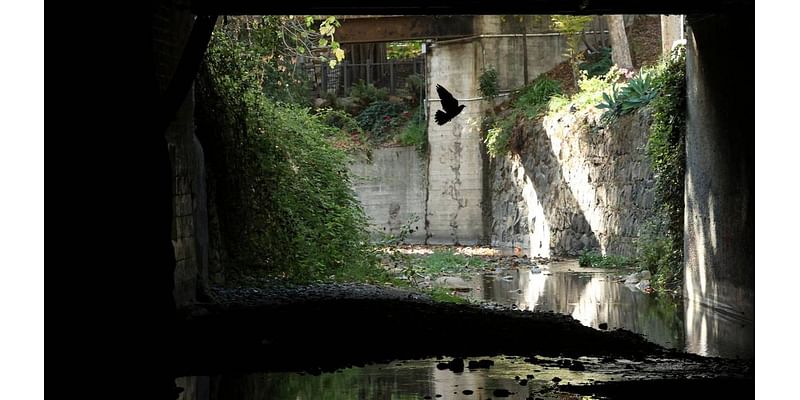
<point x="569" y="189"/>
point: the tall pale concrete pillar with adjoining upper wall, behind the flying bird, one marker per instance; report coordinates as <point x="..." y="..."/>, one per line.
<point x="456" y="172"/>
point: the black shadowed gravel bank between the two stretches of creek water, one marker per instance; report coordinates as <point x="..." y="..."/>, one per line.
<point x="318" y="330"/>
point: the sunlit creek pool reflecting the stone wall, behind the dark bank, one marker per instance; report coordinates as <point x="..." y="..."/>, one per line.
<point x="594" y="296"/>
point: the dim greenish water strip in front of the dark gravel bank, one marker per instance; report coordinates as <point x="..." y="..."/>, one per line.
<point x="414" y="379"/>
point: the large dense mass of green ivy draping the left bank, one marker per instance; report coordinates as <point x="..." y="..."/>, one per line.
<point x="283" y="191"/>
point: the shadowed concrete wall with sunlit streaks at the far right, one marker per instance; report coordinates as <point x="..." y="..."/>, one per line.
<point x="719" y="227"/>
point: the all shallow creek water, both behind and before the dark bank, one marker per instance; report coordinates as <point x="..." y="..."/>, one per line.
<point x="591" y="296"/>
